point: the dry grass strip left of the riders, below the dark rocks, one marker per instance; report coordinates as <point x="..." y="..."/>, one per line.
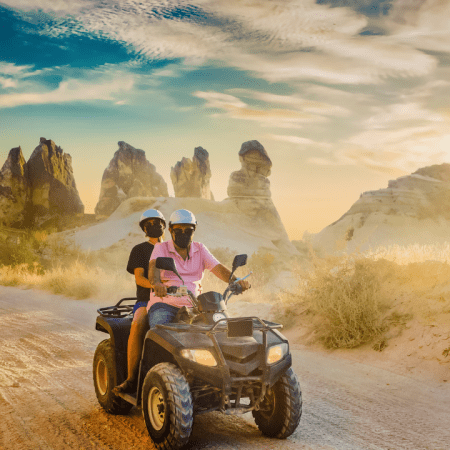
<point x="49" y="262"/>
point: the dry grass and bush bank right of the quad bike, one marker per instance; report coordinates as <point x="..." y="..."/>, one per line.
<point x="350" y="300"/>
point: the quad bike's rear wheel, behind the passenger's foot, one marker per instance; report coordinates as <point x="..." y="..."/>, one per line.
<point x="105" y="379"/>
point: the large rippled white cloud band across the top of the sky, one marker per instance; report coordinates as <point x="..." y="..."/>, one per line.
<point x="266" y="38"/>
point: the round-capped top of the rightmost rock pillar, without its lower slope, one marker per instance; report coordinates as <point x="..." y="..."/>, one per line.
<point x="251" y="180"/>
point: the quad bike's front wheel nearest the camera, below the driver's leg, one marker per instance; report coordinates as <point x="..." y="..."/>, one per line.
<point x="167" y="407"/>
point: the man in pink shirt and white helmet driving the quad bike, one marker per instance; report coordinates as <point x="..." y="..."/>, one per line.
<point x="191" y="259"/>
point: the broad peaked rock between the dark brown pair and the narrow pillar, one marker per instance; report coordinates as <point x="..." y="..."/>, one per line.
<point x="128" y="174"/>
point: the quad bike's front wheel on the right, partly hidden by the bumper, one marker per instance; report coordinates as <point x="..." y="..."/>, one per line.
<point x="281" y="409"/>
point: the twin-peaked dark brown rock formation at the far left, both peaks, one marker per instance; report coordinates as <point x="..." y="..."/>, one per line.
<point x="33" y="192"/>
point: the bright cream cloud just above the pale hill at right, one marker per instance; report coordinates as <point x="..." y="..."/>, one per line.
<point x="396" y="139"/>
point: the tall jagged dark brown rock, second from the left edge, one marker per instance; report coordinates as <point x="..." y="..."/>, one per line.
<point x="53" y="191"/>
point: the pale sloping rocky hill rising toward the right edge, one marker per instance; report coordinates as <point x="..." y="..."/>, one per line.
<point x="412" y="209"/>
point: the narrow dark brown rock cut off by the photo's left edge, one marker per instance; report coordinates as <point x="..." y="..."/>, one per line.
<point x="13" y="189"/>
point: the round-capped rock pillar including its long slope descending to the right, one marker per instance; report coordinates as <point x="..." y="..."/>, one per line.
<point x="249" y="191"/>
